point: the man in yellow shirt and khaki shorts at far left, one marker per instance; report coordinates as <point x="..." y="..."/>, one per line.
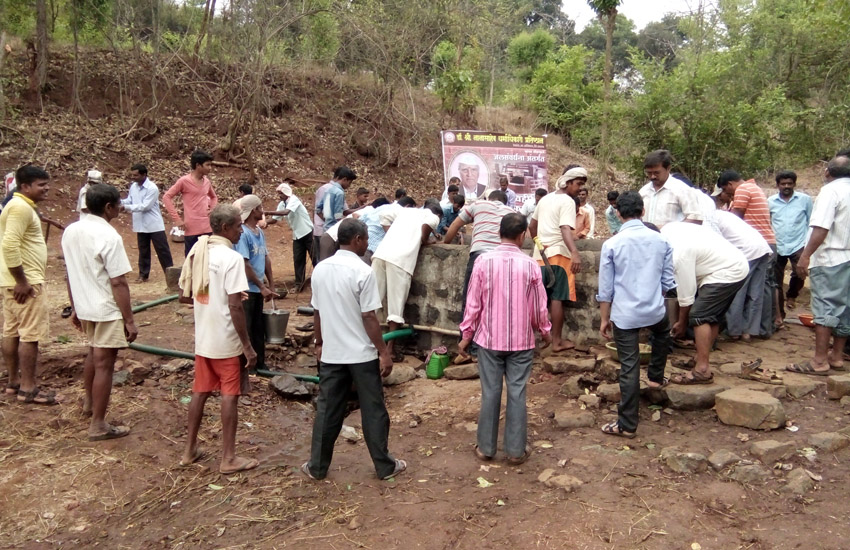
<point x="23" y="262"/>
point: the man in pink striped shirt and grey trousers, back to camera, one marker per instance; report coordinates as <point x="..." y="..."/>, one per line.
<point x="505" y="305"/>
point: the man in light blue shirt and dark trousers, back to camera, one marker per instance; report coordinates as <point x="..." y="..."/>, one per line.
<point x="635" y="272"/>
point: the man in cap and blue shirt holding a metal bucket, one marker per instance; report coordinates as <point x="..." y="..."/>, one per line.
<point x="258" y="269"/>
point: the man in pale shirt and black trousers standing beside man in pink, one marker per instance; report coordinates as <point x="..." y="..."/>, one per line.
<point x="143" y="203"/>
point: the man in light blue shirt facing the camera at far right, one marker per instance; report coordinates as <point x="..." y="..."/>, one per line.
<point x="790" y="212"/>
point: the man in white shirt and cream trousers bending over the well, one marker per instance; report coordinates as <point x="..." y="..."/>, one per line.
<point x="395" y="259"/>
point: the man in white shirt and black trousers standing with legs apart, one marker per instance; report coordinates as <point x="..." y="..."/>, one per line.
<point x="349" y="348"/>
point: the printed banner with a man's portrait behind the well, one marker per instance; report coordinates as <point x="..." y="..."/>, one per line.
<point x="480" y="159"/>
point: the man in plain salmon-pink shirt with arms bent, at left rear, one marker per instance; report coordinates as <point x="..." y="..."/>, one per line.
<point x="198" y="197"/>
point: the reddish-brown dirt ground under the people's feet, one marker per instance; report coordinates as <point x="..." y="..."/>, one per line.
<point x="59" y="489"/>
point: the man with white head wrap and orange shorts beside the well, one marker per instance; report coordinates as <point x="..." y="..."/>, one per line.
<point x="553" y="222"/>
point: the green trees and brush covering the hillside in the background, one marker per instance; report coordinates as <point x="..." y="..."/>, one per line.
<point x="756" y="85"/>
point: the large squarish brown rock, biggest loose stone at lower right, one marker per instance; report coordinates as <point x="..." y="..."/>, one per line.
<point x="750" y="409"/>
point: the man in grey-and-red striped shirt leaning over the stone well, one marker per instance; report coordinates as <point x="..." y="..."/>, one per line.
<point x="485" y="215"/>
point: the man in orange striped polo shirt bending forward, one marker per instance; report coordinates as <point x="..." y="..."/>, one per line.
<point x="750" y="203"/>
